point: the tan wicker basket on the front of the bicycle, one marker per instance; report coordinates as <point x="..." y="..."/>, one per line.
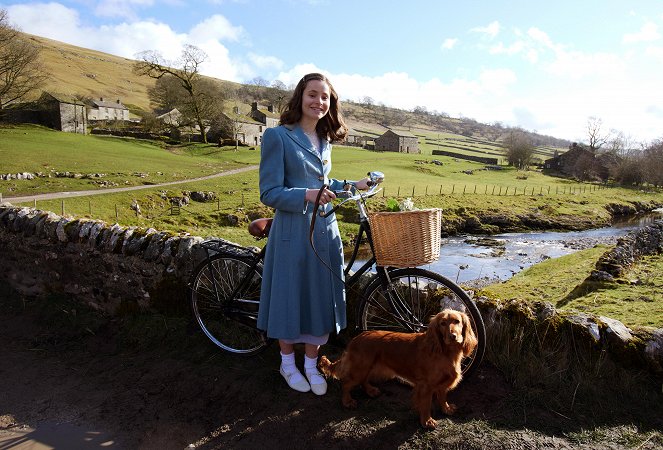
<point x="406" y="238"/>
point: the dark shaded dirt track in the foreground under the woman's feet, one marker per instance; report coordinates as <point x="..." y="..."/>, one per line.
<point x="70" y="379"/>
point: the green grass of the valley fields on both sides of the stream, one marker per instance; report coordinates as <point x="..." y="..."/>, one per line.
<point x="461" y="188"/>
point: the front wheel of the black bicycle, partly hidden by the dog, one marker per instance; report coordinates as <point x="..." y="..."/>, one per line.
<point x="412" y="297"/>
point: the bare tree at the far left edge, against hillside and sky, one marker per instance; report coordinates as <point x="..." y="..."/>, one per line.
<point x="20" y="67"/>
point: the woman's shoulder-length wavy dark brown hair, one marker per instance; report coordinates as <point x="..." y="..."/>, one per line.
<point x="331" y="126"/>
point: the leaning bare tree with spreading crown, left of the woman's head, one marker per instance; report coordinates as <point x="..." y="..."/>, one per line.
<point x="187" y="71"/>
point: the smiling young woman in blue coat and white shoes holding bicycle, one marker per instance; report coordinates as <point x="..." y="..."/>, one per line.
<point x="302" y="301"/>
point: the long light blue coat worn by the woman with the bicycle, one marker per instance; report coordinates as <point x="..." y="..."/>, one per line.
<point x="299" y="293"/>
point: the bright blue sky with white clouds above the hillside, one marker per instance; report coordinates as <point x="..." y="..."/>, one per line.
<point x="548" y="67"/>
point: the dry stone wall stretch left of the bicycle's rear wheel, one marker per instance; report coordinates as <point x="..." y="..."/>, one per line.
<point x="115" y="269"/>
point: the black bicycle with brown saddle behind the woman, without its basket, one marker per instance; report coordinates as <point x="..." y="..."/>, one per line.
<point x="224" y="290"/>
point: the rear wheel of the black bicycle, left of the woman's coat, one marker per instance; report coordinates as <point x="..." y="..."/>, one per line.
<point x="224" y="294"/>
